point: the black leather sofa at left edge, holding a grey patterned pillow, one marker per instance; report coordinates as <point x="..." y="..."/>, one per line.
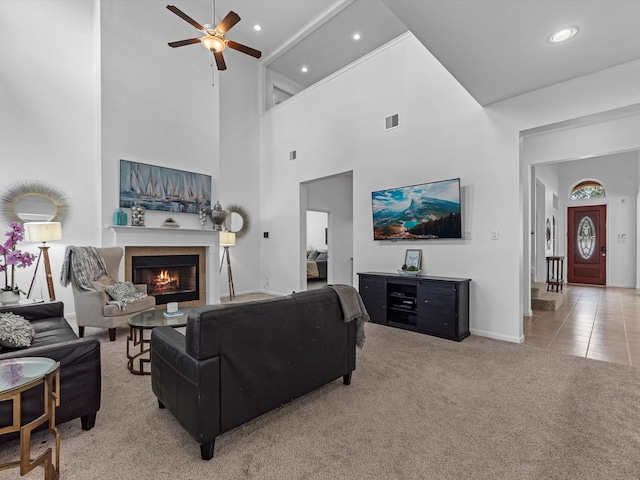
<point x="80" y="370"/>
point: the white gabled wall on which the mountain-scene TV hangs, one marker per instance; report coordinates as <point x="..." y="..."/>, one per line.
<point x="338" y="124"/>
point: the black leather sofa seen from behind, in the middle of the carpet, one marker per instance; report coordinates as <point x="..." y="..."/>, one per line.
<point x="238" y="361"/>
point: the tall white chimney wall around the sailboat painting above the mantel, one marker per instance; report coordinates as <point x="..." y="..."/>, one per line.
<point x="158" y="104"/>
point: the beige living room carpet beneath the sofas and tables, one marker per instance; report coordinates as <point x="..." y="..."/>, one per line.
<point x="418" y="408"/>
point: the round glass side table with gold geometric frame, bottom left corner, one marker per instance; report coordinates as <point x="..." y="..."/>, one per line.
<point x="19" y="375"/>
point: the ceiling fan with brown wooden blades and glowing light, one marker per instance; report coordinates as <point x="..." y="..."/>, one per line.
<point x="213" y="38"/>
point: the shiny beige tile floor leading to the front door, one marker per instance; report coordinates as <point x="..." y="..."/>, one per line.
<point x="602" y="323"/>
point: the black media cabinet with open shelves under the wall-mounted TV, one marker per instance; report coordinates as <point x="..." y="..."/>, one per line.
<point x="433" y="305"/>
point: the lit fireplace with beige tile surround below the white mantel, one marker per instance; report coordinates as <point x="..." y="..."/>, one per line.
<point x="171" y="274"/>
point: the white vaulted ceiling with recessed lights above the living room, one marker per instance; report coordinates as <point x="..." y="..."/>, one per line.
<point x="495" y="48"/>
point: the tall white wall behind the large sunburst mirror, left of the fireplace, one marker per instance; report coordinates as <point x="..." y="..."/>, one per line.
<point x="47" y="118"/>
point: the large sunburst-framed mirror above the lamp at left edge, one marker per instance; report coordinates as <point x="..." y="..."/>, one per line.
<point x="33" y="201"/>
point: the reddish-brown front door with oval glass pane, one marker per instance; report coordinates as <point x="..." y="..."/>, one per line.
<point x="587" y="245"/>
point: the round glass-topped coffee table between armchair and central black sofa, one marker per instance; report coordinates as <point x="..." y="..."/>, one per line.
<point x="138" y="344"/>
